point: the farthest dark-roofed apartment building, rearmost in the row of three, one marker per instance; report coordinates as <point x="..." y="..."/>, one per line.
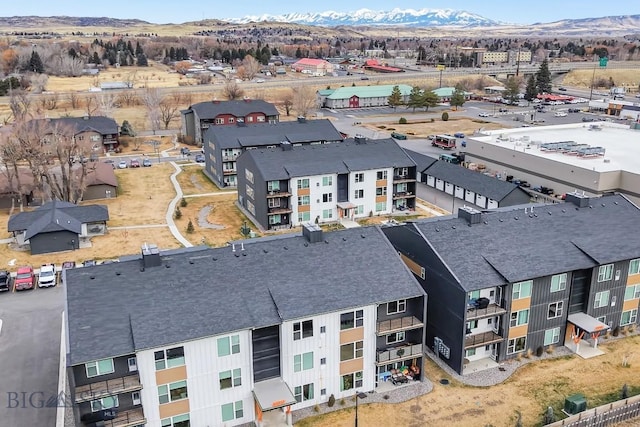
<point x="199" y="117"/>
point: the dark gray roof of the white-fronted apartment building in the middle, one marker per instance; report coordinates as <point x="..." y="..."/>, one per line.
<point x="277" y="163"/>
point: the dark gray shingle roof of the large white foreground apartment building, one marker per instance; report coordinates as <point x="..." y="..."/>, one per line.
<point x="116" y="309"/>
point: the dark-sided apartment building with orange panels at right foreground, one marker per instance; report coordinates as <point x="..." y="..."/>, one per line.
<point x="518" y="279"/>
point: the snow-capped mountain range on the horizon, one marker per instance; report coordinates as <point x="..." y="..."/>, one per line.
<point x="406" y="17"/>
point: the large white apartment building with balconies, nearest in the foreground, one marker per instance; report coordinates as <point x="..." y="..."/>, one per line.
<point x="240" y="334"/>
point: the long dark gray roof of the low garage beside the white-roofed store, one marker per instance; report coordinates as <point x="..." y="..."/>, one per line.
<point x="477" y="182"/>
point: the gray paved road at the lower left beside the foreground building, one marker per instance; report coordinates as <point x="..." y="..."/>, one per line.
<point x="29" y="356"/>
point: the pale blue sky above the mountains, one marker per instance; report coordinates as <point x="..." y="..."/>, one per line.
<point x="164" y="11"/>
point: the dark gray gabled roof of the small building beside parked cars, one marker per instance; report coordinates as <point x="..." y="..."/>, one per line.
<point x="56" y="216"/>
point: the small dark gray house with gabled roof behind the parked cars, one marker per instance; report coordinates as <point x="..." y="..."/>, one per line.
<point x="58" y="226"/>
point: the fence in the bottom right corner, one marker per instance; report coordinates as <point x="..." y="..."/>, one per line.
<point x="605" y="415"/>
